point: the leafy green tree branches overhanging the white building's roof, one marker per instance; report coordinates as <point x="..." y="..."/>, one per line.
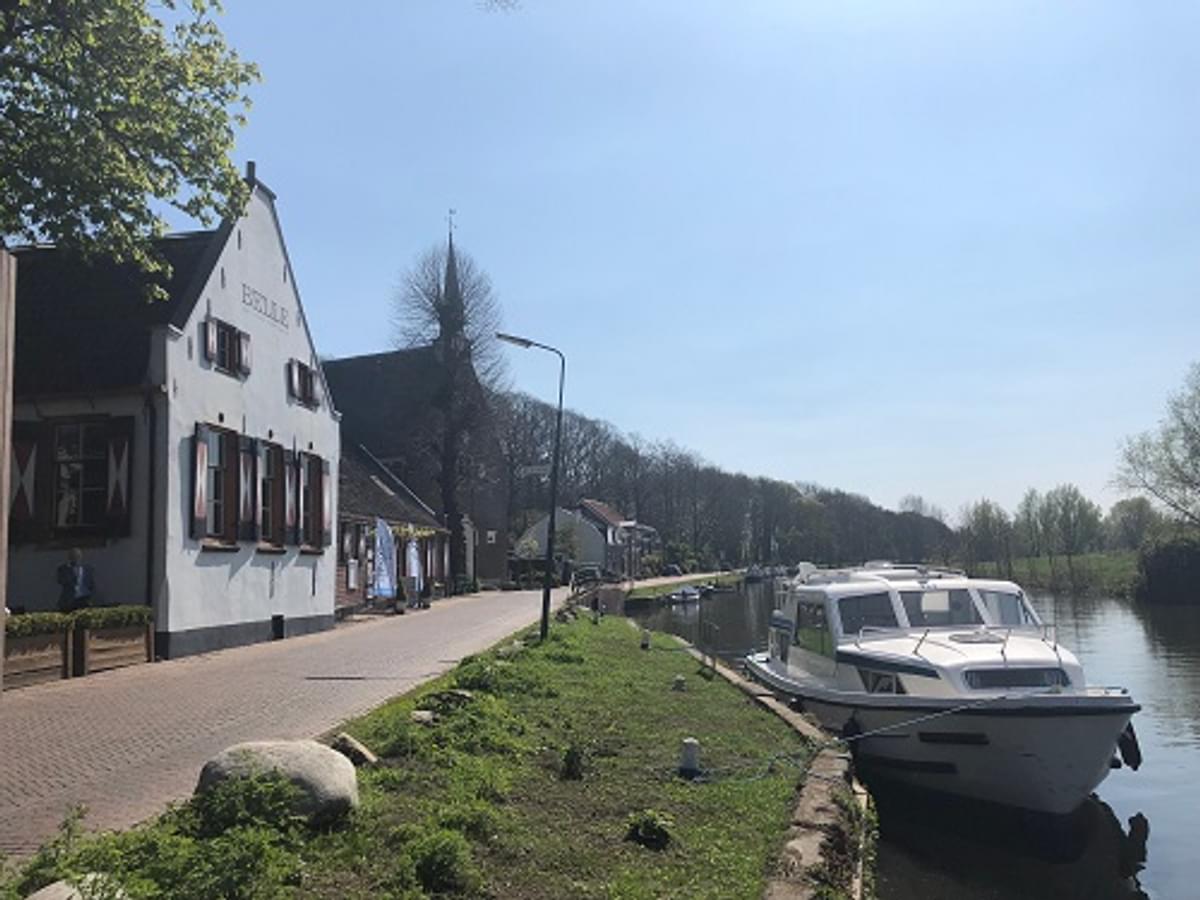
<point x="106" y="111"/>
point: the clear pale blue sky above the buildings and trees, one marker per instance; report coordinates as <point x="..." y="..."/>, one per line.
<point x="944" y="249"/>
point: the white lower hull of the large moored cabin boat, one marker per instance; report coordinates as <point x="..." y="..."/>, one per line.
<point x="1045" y="754"/>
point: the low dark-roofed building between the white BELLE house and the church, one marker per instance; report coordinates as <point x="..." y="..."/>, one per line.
<point x="369" y="493"/>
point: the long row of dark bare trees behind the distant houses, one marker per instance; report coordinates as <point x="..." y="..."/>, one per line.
<point x="705" y="515"/>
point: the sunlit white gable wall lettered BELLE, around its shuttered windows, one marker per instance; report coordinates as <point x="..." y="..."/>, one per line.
<point x="206" y="589"/>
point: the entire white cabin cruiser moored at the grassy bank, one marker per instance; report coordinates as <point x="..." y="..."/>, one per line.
<point x="947" y="683"/>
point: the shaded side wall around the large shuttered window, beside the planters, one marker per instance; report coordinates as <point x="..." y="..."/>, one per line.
<point x="118" y="563"/>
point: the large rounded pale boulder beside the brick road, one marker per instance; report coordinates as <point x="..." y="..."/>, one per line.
<point x="329" y="787"/>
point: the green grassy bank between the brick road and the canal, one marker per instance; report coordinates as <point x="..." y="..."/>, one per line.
<point x="529" y="785"/>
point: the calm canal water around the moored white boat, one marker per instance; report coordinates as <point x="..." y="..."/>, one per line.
<point x="1137" y="839"/>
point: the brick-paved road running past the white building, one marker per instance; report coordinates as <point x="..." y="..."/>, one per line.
<point x="128" y="742"/>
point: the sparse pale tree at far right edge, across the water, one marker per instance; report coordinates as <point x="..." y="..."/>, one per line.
<point x="1166" y="464"/>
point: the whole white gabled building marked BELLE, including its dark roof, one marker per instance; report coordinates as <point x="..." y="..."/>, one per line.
<point x="188" y="446"/>
